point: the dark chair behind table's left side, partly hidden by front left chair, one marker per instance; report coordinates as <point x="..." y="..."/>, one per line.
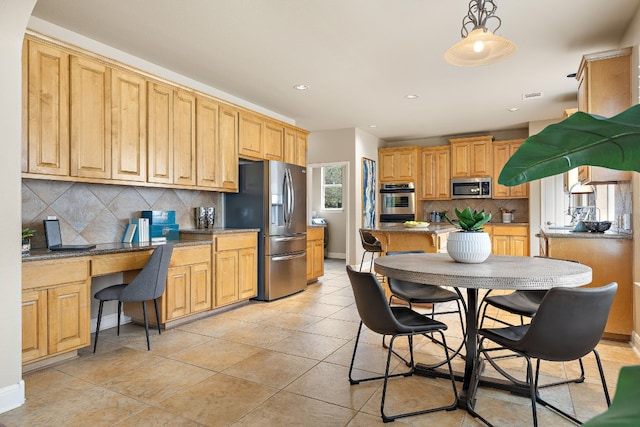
<point x="418" y="293"/>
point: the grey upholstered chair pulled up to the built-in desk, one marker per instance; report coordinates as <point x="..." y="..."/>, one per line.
<point x="148" y="285"/>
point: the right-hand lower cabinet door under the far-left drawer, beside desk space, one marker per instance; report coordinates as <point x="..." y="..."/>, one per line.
<point x="68" y="311"/>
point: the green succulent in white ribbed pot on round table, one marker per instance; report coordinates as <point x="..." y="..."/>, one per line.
<point x="471" y="244"/>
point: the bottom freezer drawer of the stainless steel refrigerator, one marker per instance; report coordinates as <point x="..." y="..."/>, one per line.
<point x="284" y="275"/>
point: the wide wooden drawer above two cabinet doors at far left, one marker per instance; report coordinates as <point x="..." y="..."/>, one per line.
<point x="38" y="274"/>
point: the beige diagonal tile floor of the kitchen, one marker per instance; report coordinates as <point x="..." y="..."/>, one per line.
<point x="282" y="363"/>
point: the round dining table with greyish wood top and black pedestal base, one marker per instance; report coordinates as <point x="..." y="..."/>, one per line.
<point x="497" y="272"/>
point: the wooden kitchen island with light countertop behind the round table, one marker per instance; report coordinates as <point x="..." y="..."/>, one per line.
<point x="431" y="239"/>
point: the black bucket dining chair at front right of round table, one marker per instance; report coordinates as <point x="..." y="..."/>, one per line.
<point x="567" y="326"/>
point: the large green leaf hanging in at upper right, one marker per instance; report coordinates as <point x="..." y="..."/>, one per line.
<point x="579" y="140"/>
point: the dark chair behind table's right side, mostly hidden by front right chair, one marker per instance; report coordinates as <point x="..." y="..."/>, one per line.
<point x="525" y="304"/>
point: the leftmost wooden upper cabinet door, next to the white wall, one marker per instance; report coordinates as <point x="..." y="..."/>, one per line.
<point x="48" y="110"/>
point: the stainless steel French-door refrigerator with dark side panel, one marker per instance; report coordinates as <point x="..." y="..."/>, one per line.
<point x="272" y="197"/>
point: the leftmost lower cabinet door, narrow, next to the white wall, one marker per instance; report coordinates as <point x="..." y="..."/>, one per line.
<point x="34" y="325"/>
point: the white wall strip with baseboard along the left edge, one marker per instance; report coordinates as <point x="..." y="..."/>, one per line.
<point x="14" y="15"/>
